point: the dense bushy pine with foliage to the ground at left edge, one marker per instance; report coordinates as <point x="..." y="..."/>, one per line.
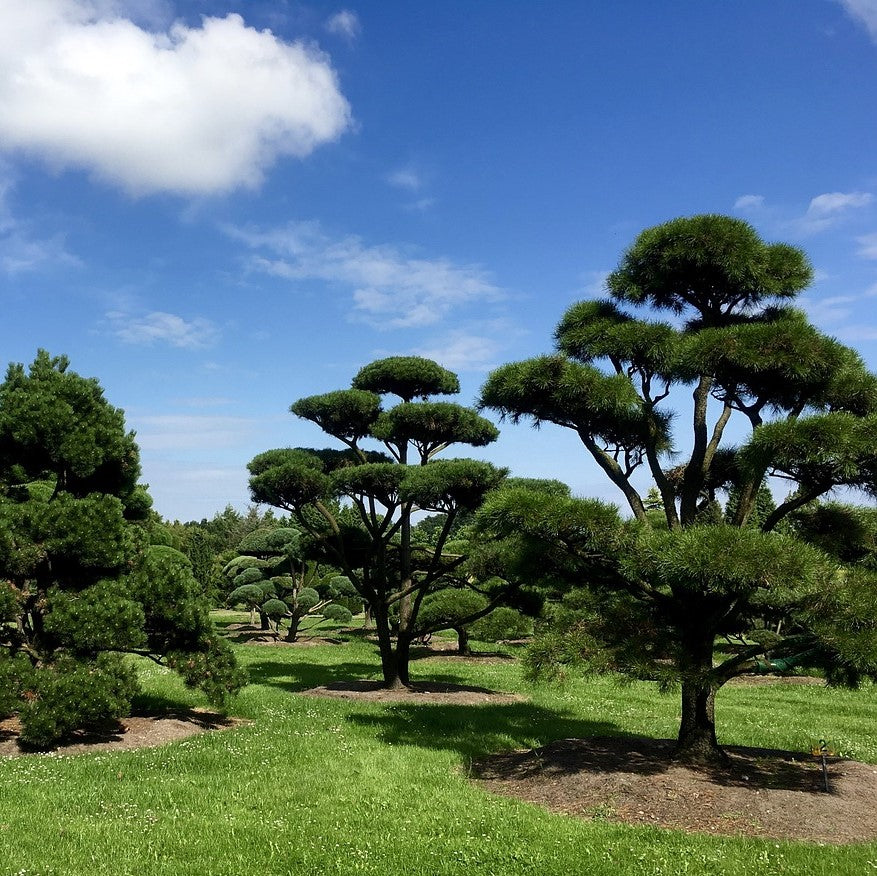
<point x="80" y="584"/>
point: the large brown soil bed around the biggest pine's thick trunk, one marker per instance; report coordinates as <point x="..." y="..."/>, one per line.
<point x="765" y="793"/>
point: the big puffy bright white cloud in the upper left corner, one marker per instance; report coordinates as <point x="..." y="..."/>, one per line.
<point x="191" y="110"/>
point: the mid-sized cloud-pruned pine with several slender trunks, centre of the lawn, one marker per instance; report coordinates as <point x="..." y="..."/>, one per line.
<point x="368" y="535"/>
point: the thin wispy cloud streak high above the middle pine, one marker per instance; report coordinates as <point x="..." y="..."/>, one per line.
<point x="390" y="288"/>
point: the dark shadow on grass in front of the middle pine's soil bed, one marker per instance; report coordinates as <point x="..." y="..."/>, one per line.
<point x="474" y="730"/>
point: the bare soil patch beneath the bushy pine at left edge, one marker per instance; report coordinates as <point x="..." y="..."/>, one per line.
<point x="136" y="731"/>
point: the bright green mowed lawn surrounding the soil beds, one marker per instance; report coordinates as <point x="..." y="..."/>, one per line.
<point x="323" y="786"/>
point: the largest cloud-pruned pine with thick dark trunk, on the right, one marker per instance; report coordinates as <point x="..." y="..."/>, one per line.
<point x="656" y="600"/>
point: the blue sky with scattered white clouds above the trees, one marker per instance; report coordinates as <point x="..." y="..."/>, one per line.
<point x="218" y="207"/>
